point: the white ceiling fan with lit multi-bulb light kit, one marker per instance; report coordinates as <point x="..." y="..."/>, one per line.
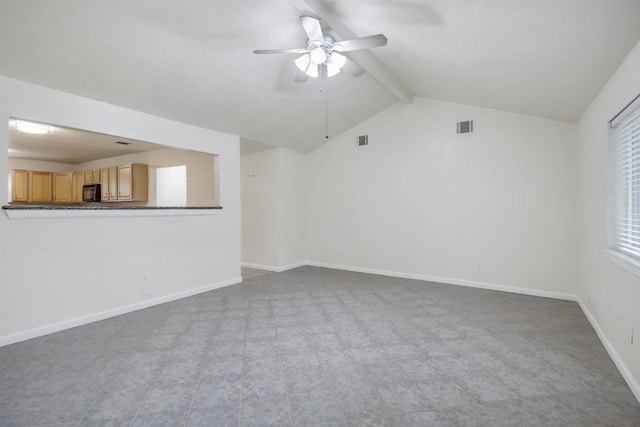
<point x="322" y="55"/>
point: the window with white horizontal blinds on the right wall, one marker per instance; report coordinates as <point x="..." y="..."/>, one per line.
<point x="625" y="185"/>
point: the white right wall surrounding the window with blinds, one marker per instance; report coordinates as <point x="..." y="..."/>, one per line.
<point x="610" y="294"/>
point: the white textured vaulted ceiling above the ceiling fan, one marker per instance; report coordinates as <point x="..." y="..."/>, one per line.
<point x="192" y="60"/>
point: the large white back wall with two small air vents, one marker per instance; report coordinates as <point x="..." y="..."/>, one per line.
<point x="421" y="201"/>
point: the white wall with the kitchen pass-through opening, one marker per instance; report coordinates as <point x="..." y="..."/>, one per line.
<point x="56" y="271"/>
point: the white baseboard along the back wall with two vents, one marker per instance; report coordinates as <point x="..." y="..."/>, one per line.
<point x="452" y="281"/>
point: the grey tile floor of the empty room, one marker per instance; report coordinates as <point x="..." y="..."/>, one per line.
<point x="318" y="347"/>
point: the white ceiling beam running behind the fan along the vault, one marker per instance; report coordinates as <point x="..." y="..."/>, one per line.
<point x="365" y="58"/>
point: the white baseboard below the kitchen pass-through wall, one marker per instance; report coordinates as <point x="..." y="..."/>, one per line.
<point x="94" y="317"/>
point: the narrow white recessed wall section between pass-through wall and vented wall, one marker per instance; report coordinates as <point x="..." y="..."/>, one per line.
<point x="273" y="209"/>
